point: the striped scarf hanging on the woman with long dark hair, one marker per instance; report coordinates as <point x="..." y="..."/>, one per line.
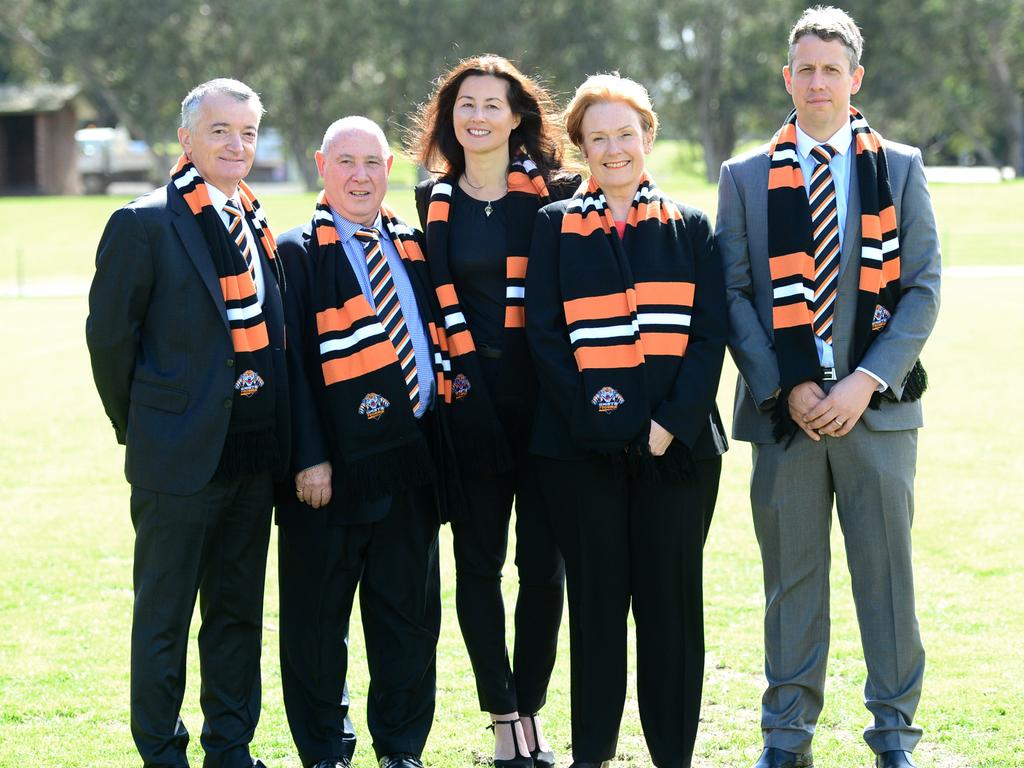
<point x="480" y="440"/>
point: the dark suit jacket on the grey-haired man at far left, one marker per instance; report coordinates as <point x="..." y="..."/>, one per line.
<point x="161" y="348"/>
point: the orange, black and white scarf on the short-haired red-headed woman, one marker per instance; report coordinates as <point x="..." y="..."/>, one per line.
<point x="618" y="324"/>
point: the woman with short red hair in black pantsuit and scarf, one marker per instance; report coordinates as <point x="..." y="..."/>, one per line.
<point x="627" y="323"/>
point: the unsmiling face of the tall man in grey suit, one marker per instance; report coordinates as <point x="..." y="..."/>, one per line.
<point x="821" y="82"/>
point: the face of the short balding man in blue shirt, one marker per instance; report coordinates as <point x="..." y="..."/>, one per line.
<point x="356" y="167"/>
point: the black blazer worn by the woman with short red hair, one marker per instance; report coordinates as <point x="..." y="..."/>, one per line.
<point x="693" y="415"/>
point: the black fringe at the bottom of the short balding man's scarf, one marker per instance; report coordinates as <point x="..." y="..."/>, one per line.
<point x="388" y="473"/>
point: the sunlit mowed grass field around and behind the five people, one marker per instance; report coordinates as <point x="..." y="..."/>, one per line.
<point x="66" y="546"/>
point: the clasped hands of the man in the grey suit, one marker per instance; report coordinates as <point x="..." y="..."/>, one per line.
<point x="832" y="415"/>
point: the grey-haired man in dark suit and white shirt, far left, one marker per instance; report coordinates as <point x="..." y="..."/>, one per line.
<point x="186" y="332"/>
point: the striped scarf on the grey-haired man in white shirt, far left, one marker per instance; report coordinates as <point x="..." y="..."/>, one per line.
<point x="252" y="445"/>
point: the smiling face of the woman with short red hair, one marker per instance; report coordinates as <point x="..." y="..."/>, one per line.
<point x="615" y="145"/>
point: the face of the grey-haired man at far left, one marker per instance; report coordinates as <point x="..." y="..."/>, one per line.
<point x="223" y="144"/>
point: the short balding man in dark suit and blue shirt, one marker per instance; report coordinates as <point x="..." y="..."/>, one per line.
<point x="363" y="510"/>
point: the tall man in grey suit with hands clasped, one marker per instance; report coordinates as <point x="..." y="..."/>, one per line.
<point x="832" y="265"/>
